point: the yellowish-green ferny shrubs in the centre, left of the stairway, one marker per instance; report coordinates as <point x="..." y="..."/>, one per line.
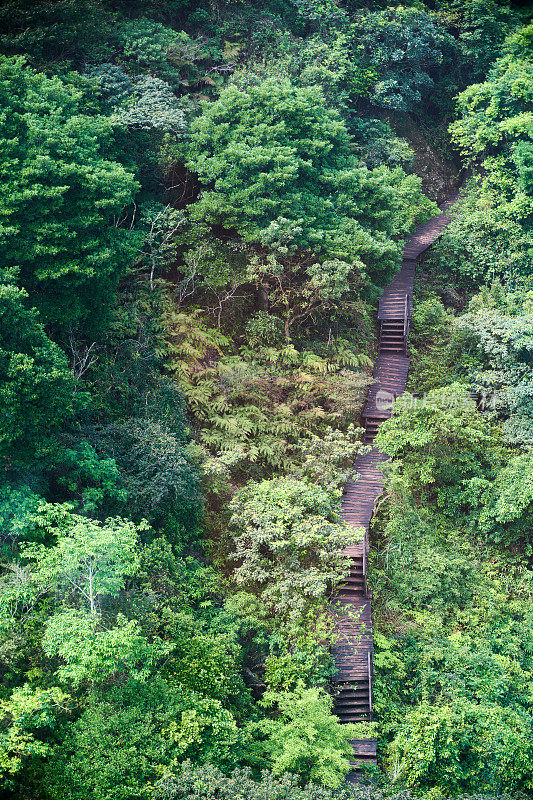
<point x="265" y="402"/>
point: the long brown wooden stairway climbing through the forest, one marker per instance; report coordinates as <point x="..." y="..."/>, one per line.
<point x="352" y="601"/>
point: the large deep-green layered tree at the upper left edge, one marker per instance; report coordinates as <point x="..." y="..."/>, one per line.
<point x="63" y="196"/>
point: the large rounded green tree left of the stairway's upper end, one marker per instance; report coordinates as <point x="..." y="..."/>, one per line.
<point x="277" y="166"/>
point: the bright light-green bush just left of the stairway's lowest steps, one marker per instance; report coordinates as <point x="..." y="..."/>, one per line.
<point x="305" y="737"/>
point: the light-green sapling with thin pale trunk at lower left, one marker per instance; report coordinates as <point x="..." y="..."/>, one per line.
<point x="88" y="561"/>
